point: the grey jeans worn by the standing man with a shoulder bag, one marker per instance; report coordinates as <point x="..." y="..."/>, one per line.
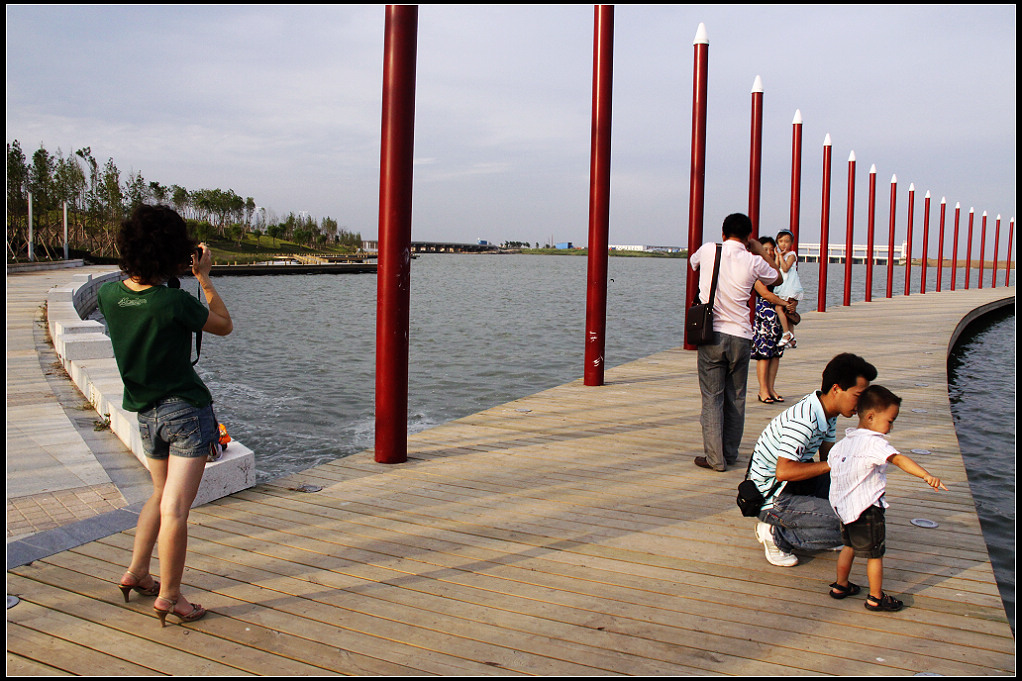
<point x="724" y="375"/>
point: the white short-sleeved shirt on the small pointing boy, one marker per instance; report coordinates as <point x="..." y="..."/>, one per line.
<point x="859" y="473"/>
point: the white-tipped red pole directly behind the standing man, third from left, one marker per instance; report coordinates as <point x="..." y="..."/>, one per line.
<point x="698" y="170"/>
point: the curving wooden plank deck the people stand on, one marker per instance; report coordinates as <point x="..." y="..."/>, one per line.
<point x="568" y="533"/>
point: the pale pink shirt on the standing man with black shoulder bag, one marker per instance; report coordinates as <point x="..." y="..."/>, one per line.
<point x="739" y="273"/>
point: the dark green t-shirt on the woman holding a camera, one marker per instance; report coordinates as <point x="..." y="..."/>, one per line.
<point x="152" y="333"/>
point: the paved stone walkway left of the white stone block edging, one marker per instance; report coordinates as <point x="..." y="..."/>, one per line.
<point x="63" y="468"/>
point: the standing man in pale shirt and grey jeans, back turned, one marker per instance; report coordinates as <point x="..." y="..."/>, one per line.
<point x="724" y="366"/>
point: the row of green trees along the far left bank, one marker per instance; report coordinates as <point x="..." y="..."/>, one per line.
<point x="99" y="200"/>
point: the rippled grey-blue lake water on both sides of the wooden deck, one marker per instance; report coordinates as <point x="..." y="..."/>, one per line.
<point x="296" y="380"/>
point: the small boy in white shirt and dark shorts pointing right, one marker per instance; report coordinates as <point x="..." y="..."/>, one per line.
<point x="858" y="482"/>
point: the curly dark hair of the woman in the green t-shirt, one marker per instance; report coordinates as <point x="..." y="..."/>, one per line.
<point x="155" y="245"/>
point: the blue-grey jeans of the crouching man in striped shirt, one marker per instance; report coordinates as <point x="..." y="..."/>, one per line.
<point x="804" y="519"/>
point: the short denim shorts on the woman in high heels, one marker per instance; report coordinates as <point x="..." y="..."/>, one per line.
<point x="175" y="427"/>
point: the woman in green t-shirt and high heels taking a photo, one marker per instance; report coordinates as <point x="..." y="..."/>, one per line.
<point x="151" y="328"/>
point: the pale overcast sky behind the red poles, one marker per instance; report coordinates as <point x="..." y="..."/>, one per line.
<point x="283" y="104"/>
